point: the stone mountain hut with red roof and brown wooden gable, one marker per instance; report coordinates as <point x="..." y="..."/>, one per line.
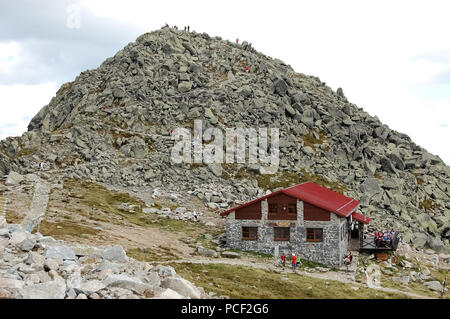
<point x="307" y="219"/>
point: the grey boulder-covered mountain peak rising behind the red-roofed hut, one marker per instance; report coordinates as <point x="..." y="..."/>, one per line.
<point x="112" y="125"/>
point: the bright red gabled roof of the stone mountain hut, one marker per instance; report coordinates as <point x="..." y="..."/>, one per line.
<point x="316" y="195"/>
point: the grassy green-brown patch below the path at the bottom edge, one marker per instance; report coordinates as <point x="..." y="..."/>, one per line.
<point x="245" y="282"/>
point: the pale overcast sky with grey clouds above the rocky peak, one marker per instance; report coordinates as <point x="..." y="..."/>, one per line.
<point x="392" y="58"/>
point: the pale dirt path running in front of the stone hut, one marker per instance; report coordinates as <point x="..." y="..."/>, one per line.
<point x="347" y="278"/>
